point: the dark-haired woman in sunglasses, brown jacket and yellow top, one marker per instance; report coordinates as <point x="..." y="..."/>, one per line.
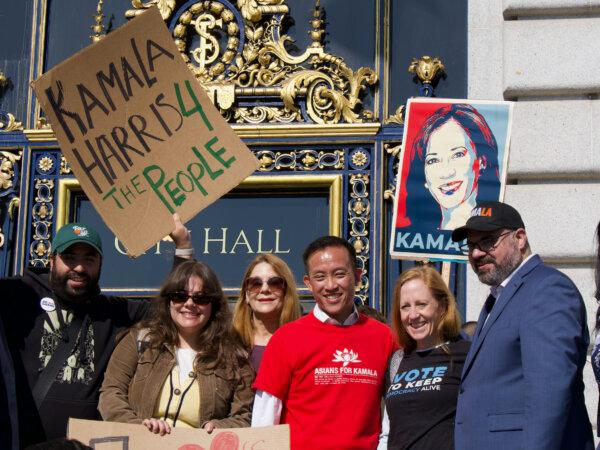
<point x="184" y="366"/>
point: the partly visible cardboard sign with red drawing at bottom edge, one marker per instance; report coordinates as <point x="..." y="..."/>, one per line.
<point x="123" y="436"/>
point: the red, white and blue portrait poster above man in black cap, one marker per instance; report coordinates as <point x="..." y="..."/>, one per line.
<point x="454" y="154"/>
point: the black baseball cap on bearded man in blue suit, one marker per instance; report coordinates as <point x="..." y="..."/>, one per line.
<point x="489" y="216"/>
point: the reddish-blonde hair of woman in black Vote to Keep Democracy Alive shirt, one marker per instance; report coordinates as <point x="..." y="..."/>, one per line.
<point x="449" y="325"/>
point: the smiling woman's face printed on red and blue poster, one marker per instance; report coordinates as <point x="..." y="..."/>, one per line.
<point x="451" y="165"/>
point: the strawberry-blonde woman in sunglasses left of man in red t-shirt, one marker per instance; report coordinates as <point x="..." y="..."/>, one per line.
<point x="267" y="300"/>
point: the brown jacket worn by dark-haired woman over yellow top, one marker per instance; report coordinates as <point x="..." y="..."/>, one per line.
<point x="134" y="379"/>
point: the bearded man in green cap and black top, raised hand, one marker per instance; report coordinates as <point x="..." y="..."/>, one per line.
<point x="61" y="332"/>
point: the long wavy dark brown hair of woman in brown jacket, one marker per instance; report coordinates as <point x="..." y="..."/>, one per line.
<point x="219" y="346"/>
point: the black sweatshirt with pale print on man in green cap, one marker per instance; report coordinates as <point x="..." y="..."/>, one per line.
<point x="33" y="334"/>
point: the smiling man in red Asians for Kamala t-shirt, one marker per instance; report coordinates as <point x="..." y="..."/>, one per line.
<point x="324" y="373"/>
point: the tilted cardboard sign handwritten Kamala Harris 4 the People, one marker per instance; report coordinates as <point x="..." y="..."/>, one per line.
<point x="141" y="135"/>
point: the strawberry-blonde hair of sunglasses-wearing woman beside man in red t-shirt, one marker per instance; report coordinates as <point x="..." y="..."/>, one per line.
<point x="242" y="314"/>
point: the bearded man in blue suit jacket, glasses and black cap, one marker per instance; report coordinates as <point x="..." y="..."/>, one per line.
<point x="522" y="384"/>
